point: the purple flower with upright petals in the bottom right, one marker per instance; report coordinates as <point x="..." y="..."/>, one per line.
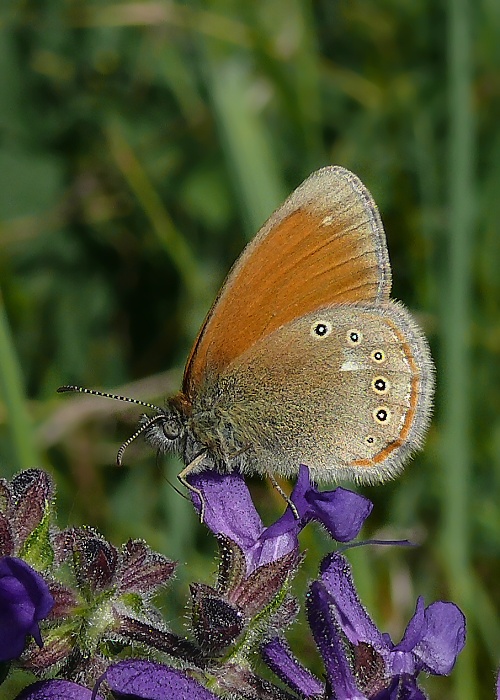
<point x="360" y="661"/>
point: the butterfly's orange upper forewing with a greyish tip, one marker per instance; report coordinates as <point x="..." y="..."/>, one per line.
<point x="325" y="245"/>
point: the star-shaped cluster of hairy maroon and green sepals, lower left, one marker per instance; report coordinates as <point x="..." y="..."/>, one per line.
<point x="109" y="588"/>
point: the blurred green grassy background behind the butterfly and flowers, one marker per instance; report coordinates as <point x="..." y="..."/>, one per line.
<point x="141" y="145"/>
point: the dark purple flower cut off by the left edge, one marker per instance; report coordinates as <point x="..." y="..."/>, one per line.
<point x="25" y="599"/>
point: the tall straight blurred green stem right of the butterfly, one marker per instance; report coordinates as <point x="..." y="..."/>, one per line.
<point x="456" y="325"/>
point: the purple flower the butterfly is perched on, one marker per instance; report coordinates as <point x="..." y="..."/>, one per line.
<point x="229" y="511"/>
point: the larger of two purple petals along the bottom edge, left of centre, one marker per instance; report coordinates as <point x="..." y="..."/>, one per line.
<point x="151" y="681"/>
